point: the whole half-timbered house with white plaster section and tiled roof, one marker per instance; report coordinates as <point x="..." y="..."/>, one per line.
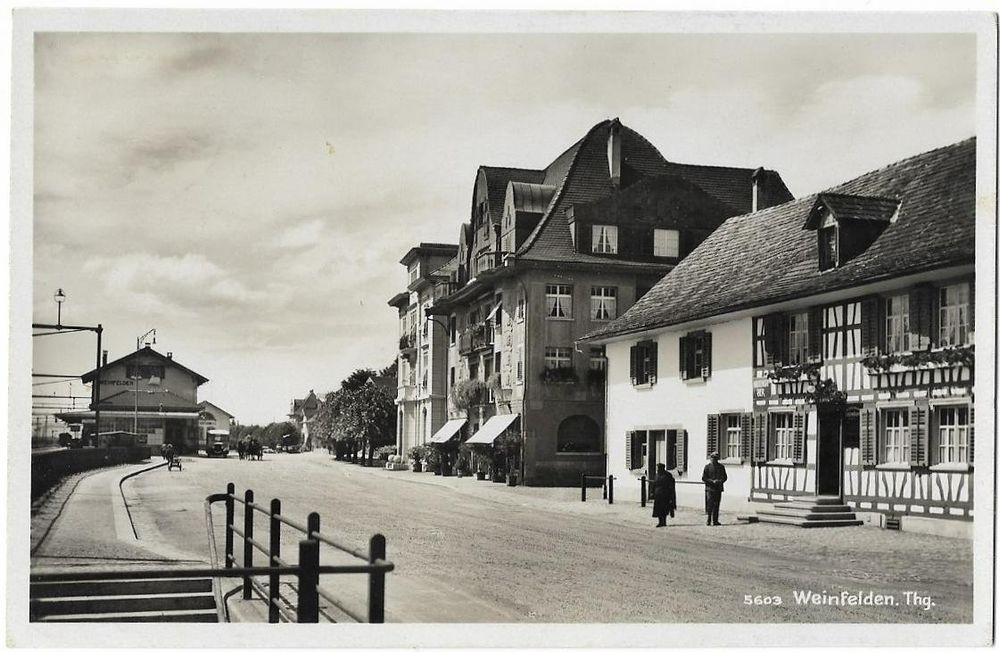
<point x="824" y="347"/>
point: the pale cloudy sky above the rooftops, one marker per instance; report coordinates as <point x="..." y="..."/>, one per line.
<point x="249" y="196"/>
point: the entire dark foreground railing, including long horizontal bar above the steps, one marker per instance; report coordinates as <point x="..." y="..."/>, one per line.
<point x="308" y="570"/>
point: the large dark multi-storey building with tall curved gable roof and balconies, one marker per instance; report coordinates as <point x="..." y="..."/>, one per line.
<point x="549" y="254"/>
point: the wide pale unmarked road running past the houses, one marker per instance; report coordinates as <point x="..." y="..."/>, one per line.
<point x="468" y="551"/>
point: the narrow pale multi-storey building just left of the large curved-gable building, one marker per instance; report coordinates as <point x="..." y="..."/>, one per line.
<point x="421" y="376"/>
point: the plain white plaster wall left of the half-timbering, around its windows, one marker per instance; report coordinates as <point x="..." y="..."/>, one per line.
<point x="673" y="403"/>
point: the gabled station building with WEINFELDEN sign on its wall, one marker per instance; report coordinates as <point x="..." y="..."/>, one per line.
<point x="148" y="393"/>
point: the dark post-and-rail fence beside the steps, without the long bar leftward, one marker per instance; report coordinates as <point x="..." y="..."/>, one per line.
<point x="308" y="570"/>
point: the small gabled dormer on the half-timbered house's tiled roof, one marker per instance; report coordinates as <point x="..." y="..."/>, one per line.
<point x="846" y="225"/>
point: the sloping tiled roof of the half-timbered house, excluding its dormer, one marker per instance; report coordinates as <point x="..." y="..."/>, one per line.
<point x="766" y="257"/>
